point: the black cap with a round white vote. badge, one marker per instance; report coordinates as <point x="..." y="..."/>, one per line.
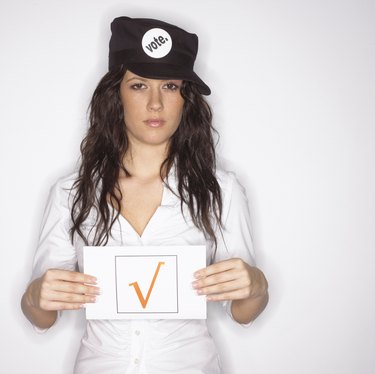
<point x="154" y="49"/>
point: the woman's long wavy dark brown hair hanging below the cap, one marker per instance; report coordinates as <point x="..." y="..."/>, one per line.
<point x="191" y="151"/>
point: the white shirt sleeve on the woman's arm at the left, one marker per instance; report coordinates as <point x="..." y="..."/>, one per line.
<point x="54" y="250"/>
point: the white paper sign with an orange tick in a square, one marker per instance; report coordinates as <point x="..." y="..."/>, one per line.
<point x="147" y="282"/>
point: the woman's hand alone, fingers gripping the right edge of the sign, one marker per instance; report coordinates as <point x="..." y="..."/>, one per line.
<point x="231" y="279"/>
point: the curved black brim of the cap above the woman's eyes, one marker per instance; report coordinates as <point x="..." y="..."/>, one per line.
<point x="167" y="71"/>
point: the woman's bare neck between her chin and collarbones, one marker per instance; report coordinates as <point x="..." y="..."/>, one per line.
<point x="144" y="162"/>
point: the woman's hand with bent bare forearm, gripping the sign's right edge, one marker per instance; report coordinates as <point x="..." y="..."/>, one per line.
<point x="237" y="281"/>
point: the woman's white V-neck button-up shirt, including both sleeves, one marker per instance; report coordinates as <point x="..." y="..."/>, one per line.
<point x="146" y="346"/>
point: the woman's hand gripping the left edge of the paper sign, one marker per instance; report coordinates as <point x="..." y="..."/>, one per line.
<point x="61" y="290"/>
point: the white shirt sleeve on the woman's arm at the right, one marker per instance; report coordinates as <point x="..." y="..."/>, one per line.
<point x="235" y="238"/>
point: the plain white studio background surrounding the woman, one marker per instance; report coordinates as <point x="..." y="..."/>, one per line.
<point x="293" y="95"/>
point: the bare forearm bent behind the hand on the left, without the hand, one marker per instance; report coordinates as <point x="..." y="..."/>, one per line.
<point x="38" y="317"/>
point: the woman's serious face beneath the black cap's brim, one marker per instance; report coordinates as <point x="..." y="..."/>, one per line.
<point x="152" y="108"/>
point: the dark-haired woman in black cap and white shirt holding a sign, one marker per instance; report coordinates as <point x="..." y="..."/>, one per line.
<point x="148" y="160"/>
